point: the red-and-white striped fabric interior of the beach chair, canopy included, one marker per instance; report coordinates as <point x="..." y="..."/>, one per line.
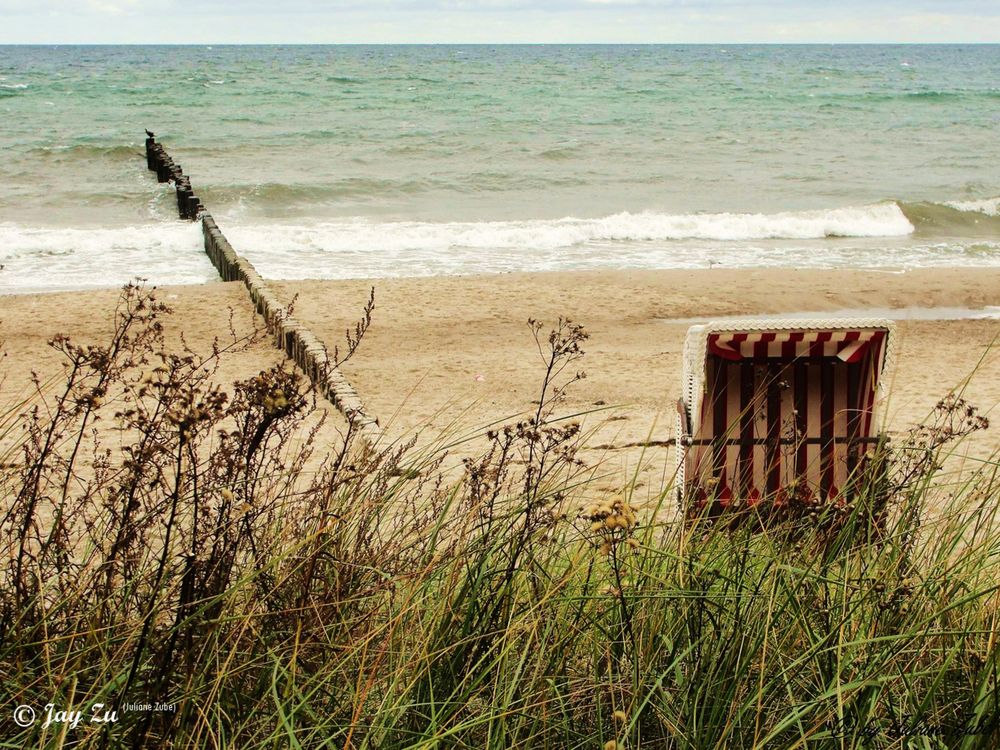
<point x="784" y="408"/>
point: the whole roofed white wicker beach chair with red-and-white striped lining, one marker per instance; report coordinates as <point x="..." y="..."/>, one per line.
<point x="779" y="411"/>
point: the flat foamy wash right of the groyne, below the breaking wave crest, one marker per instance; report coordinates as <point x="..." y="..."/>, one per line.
<point x="286" y="252"/>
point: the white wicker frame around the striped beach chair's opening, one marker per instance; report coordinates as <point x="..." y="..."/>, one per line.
<point x="696" y="355"/>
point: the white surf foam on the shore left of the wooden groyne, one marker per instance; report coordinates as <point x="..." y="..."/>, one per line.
<point x="36" y="259"/>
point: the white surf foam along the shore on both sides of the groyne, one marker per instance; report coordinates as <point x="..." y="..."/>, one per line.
<point x="170" y="252"/>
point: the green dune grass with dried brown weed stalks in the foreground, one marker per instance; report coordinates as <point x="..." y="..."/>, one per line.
<point x="273" y="593"/>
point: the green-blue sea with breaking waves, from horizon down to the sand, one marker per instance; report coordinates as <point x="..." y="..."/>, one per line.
<point x="342" y="162"/>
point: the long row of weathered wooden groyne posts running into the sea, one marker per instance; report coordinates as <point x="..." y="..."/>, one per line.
<point x="290" y="335"/>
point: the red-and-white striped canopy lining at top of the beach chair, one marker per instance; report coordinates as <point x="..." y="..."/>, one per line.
<point x="847" y="345"/>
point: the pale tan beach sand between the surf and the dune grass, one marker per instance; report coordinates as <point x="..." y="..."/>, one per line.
<point x="454" y="354"/>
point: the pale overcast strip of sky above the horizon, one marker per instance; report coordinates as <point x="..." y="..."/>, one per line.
<point x="495" y="21"/>
